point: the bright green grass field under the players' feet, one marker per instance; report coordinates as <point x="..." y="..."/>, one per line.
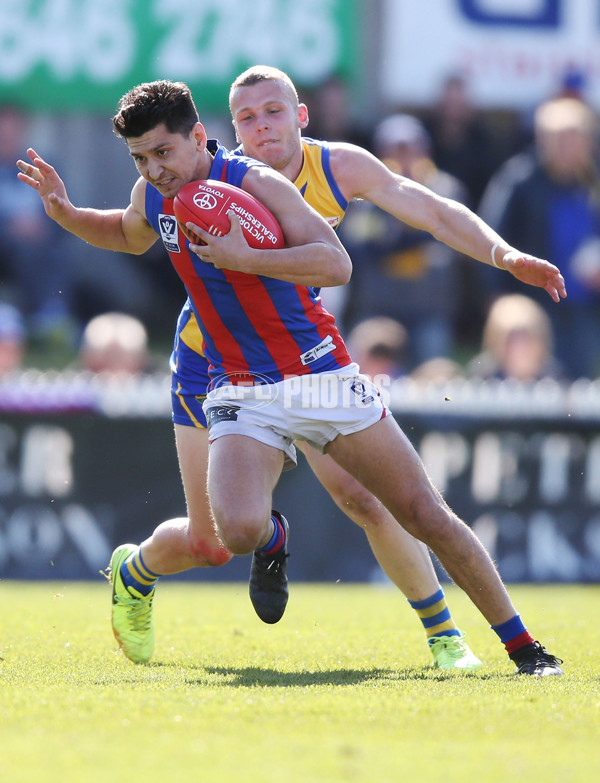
<point x="340" y="690"/>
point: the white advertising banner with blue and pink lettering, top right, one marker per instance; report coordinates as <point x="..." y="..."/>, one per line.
<point x="514" y="53"/>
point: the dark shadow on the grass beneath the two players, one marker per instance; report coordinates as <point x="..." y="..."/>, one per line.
<point x="253" y="676"/>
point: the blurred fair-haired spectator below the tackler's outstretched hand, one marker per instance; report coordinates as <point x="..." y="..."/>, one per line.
<point x="517" y="343"/>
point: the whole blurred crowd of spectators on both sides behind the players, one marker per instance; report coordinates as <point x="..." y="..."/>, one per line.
<point x="413" y="305"/>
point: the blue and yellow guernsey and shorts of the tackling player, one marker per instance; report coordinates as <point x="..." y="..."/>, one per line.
<point x="189" y="366"/>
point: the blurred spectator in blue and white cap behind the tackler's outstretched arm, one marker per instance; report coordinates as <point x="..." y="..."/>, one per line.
<point x="399" y="271"/>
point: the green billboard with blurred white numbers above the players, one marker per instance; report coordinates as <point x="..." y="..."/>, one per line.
<point x="84" y="54"/>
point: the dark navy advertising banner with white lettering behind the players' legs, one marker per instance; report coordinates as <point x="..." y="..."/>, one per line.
<point x="73" y="487"/>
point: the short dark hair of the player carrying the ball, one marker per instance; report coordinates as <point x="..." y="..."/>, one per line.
<point x="154" y="103"/>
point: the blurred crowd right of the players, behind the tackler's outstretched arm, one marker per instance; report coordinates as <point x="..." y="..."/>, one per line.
<point x="535" y="178"/>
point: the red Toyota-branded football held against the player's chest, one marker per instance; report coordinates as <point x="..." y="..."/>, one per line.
<point x="205" y="202"/>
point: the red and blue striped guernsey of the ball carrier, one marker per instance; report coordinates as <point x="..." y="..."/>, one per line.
<point x="254" y="327"/>
